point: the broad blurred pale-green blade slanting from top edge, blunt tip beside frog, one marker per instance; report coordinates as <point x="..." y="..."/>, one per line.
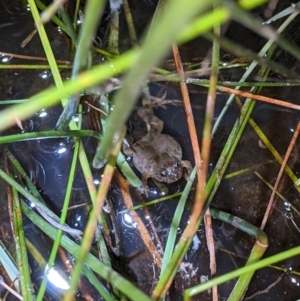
<point x="161" y="34"/>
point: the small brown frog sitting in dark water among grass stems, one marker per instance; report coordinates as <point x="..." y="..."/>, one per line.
<point x="157" y="155"/>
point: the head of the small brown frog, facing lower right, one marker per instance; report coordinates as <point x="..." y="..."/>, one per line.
<point x="170" y="169"/>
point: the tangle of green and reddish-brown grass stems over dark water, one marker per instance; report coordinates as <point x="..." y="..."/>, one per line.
<point x="115" y="79"/>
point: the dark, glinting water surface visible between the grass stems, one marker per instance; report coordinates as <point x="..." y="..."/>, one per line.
<point x="47" y="163"/>
